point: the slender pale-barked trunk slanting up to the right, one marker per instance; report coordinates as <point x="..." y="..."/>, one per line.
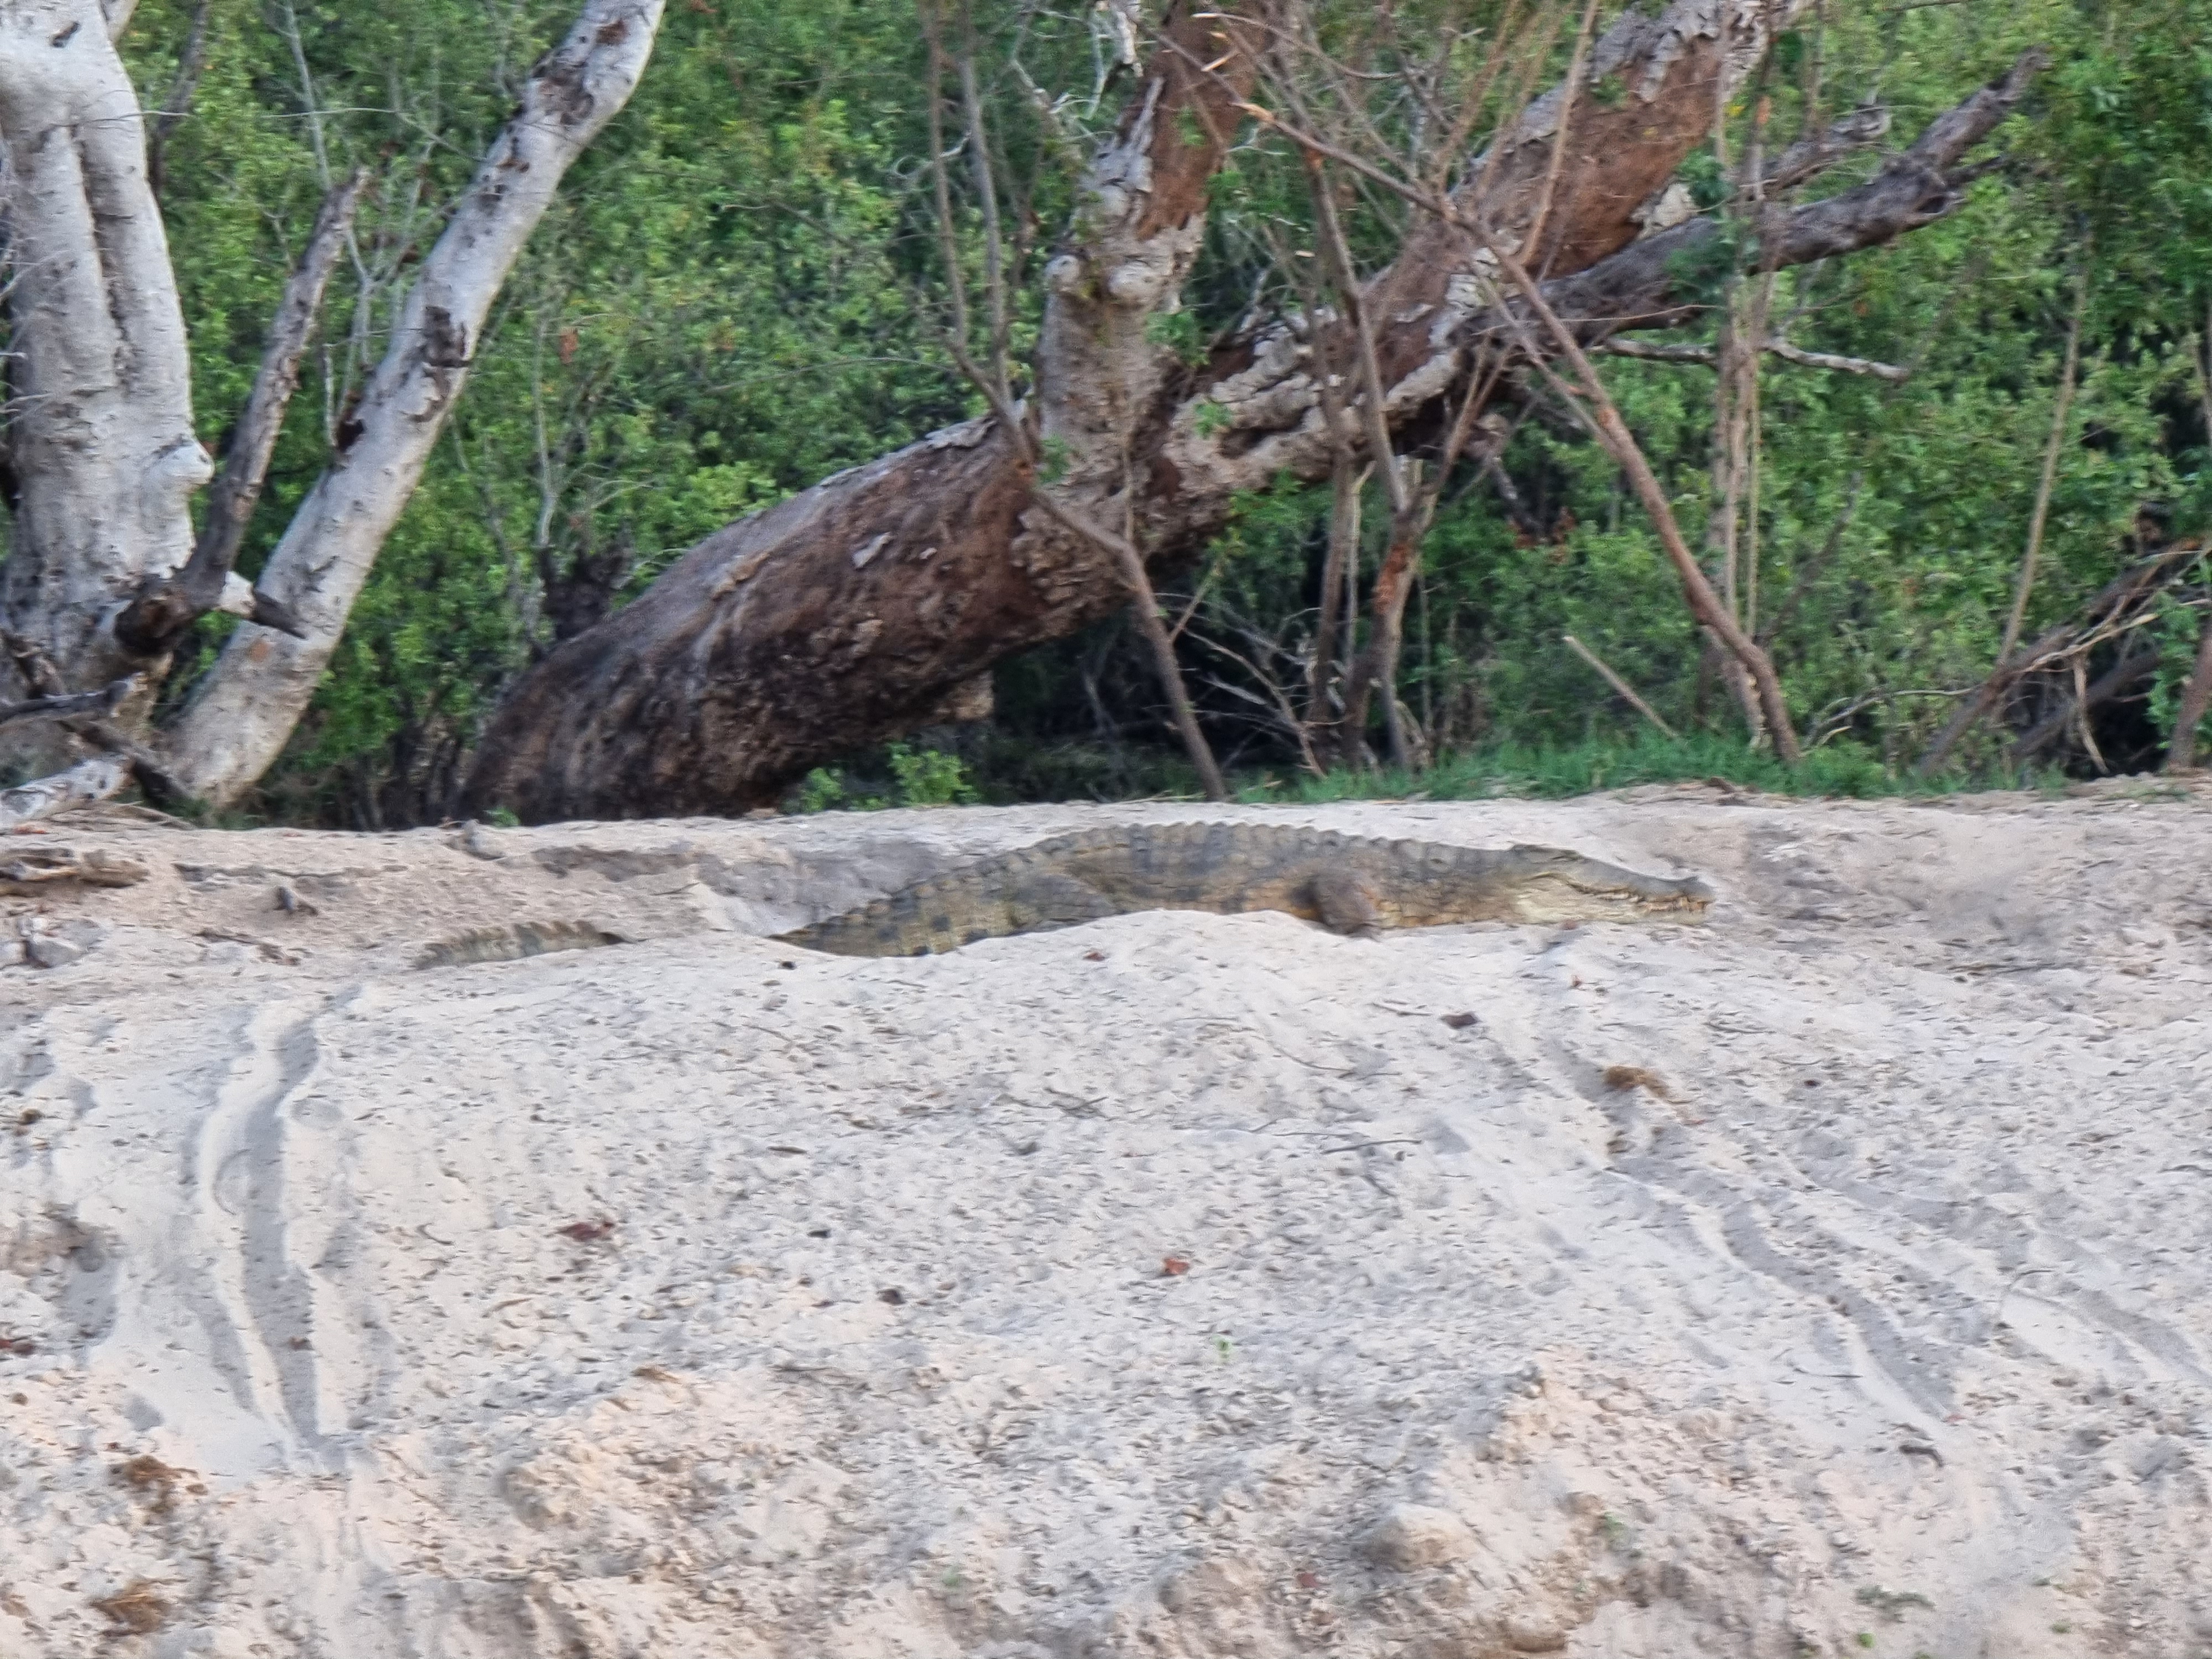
<point x="251" y="702"/>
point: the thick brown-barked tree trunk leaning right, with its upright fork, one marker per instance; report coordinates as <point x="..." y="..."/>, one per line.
<point x="853" y="612"/>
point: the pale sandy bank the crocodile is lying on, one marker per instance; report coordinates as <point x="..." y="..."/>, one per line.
<point x="1895" y="1328"/>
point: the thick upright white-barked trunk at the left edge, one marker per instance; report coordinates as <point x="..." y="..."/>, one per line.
<point x="103" y="444"/>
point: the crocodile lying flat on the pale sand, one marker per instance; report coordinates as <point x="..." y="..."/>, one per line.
<point x="1346" y="884"/>
